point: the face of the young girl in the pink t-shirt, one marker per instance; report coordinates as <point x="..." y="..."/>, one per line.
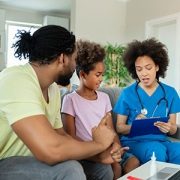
<point x="93" y="79"/>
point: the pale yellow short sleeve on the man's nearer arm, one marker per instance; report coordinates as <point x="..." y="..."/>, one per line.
<point x="20" y="97"/>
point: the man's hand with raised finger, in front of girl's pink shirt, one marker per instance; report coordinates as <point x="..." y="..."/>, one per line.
<point x="103" y="134"/>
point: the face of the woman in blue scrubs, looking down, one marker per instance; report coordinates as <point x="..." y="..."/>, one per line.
<point x="146" y="70"/>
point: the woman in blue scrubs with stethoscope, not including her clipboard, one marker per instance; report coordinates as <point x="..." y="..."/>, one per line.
<point x="148" y="97"/>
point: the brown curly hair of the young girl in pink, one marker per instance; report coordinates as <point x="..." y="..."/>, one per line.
<point x="88" y="54"/>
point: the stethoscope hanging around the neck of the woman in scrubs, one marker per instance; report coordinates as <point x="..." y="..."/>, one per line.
<point x="144" y="111"/>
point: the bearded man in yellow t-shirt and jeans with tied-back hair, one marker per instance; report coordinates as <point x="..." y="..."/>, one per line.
<point x="33" y="144"/>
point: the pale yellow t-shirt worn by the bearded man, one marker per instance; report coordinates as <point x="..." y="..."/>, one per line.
<point x="20" y="97"/>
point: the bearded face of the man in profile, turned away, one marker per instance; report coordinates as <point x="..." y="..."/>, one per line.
<point x="69" y="68"/>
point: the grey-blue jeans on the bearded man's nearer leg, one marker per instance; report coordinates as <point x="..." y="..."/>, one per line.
<point x="28" y="168"/>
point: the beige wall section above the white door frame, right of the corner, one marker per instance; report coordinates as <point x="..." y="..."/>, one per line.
<point x="140" y="11"/>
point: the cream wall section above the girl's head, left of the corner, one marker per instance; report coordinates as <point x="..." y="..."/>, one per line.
<point x="101" y="21"/>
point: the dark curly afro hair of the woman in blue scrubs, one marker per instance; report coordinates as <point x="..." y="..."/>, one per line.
<point x="152" y="48"/>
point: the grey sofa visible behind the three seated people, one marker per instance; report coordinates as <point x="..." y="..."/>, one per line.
<point x="113" y="93"/>
